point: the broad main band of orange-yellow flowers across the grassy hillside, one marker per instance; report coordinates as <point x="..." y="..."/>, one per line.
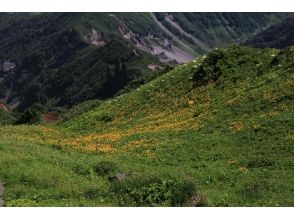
<point x="111" y="140"/>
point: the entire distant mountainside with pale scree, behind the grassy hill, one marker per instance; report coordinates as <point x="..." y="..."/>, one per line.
<point x="61" y="59"/>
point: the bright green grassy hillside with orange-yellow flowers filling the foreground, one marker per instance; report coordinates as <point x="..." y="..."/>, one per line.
<point x="215" y="132"/>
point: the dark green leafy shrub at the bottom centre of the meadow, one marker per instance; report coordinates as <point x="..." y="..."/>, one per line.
<point x="148" y="191"/>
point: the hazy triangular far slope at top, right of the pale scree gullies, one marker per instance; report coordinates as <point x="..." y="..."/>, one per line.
<point x="205" y="31"/>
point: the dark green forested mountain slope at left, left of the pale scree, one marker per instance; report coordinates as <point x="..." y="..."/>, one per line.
<point x="48" y="60"/>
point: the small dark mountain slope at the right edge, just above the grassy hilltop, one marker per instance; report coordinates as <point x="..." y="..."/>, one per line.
<point x="277" y="36"/>
